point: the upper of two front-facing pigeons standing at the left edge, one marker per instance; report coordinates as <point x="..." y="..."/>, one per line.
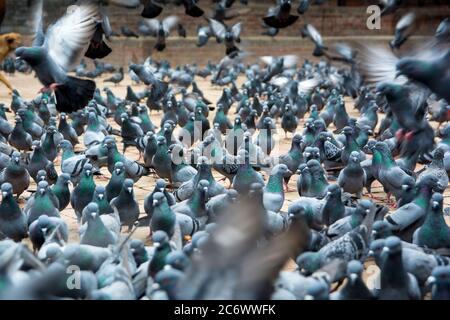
<point x="16" y="174"/>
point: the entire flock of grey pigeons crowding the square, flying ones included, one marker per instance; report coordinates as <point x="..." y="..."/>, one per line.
<point x="209" y="241"/>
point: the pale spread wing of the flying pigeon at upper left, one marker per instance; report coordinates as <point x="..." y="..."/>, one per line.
<point x="68" y="38"/>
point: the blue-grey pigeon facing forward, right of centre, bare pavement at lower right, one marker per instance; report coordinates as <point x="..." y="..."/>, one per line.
<point x="352" y="178"/>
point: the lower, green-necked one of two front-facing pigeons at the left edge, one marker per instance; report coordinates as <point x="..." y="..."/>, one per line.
<point x="13" y="222"/>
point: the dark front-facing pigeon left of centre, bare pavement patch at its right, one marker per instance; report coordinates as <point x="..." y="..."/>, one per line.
<point x="126" y="206"/>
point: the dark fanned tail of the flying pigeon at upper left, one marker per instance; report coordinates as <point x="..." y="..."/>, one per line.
<point x="74" y="94"/>
